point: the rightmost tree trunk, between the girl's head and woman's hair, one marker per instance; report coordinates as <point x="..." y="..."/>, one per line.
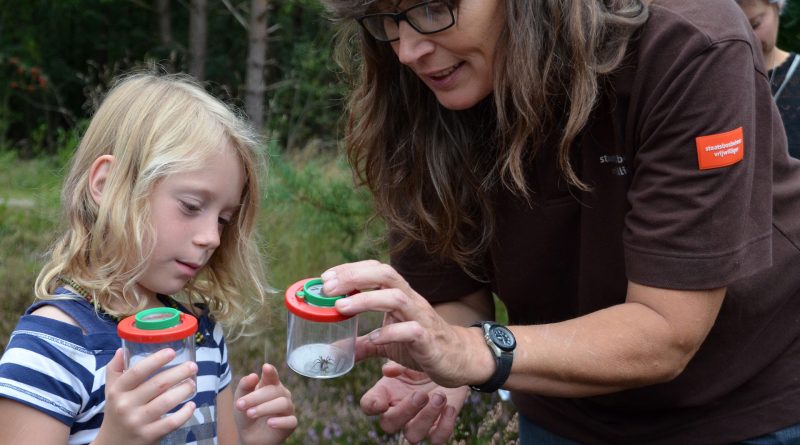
<point x="255" y="76"/>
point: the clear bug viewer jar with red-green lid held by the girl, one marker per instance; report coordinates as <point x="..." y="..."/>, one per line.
<point x="152" y="330"/>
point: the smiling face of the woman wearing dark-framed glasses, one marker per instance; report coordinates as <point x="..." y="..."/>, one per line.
<point x="457" y="64"/>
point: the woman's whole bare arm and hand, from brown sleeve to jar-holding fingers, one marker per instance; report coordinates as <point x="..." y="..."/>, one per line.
<point x="646" y="340"/>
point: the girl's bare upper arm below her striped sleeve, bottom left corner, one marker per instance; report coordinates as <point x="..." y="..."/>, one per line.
<point x="20" y="423"/>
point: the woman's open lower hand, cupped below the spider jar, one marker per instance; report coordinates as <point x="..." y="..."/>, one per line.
<point x="408" y="400"/>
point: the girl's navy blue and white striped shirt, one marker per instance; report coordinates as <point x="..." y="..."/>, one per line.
<point x="60" y="369"/>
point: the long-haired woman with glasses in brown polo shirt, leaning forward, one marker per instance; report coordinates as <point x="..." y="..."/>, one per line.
<point x="615" y="172"/>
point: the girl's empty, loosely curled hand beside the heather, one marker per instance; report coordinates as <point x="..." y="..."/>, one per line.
<point x="264" y="411"/>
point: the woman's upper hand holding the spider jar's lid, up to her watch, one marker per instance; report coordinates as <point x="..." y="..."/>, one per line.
<point x="413" y="334"/>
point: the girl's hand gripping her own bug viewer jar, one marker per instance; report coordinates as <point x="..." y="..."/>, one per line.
<point x="136" y="402"/>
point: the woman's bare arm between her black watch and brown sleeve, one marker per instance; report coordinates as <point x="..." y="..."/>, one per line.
<point x="648" y="339"/>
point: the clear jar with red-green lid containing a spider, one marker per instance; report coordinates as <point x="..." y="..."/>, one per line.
<point x="321" y="342"/>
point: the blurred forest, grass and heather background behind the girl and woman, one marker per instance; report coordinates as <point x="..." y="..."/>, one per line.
<point x="270" y="58"/>
